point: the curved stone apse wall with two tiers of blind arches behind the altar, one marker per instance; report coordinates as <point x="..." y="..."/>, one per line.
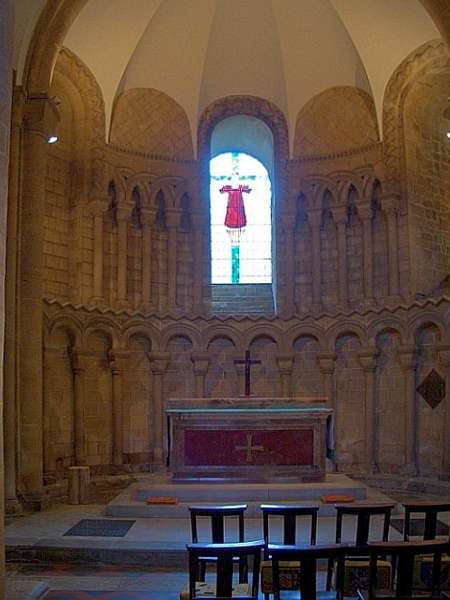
<point x="126" y="316"/>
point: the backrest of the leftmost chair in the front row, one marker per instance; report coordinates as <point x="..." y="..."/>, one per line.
<point x="225" y="555"/>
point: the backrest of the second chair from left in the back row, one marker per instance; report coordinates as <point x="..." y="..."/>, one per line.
<point x="289" y="514"/>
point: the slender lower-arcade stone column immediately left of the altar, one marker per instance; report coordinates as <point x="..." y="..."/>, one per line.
<point x="159" y="363"/>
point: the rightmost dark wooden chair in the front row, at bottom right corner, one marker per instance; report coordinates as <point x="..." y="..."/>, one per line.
<point x="403" y="556"/>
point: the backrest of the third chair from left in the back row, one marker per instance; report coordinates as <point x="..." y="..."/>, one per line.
<point x="363" y="513"/>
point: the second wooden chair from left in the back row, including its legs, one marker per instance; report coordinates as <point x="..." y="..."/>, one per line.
<point x="289" y="514"/>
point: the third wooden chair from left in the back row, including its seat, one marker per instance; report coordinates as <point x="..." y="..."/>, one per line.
<point x="363" y="512"/>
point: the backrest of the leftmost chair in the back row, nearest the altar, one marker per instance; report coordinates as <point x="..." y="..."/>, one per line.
<point x="217" y="515"/>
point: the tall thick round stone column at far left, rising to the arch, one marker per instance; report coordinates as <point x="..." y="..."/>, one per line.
<point x="39" y="121"/>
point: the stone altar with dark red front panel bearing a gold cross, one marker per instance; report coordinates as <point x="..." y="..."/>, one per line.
<point x="248" y="439"/>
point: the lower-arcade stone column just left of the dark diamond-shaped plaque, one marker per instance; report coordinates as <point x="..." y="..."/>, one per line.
<point x="408" y="362"/>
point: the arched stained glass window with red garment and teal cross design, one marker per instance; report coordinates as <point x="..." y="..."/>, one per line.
<point x="242" y="256"/>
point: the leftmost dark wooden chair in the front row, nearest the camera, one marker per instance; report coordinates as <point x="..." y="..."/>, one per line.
<point x="224" y="587"/>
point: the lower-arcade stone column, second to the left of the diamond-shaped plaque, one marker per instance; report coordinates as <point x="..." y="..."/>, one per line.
<point x="368" y="362"/>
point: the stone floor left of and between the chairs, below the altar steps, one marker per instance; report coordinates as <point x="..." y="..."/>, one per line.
<point x="124" y="574"/>
